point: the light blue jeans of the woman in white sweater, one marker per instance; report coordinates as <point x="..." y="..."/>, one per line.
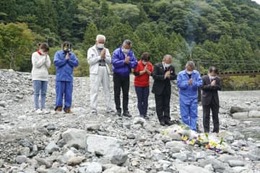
<point x="40" y="88"/>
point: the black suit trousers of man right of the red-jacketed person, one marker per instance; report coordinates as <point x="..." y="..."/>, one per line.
<point x="163" y="106"/>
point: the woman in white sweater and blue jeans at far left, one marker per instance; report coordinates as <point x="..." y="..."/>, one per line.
<point x="40" y="64"/>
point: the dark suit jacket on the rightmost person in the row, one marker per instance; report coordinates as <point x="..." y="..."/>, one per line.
<point x="210" y="92"/>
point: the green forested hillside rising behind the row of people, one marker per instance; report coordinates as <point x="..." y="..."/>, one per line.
<point x="225" y="33"/>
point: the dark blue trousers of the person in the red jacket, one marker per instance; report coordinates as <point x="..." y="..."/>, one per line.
<point x="142" y="97"/>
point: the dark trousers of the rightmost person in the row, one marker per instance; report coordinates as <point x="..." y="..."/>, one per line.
<point x="214" y="107"/>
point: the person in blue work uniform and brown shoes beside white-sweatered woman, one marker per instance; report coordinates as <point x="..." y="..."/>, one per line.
<point x="65" y="61"/>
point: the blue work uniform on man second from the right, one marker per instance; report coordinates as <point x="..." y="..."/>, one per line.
<point x="188" y="95"/>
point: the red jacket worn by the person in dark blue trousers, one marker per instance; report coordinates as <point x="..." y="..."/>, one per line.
<point x="142" y="80"/>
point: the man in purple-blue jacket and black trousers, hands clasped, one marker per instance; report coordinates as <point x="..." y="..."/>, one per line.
<point x="123" y="61"/>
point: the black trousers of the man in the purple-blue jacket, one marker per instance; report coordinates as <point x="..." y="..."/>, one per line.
<point x="121" y="82"/>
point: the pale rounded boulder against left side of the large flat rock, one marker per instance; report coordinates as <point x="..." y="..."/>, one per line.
<point x="75" y="138"/>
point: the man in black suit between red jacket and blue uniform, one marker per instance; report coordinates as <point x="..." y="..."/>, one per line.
<point x="163" y="73"/>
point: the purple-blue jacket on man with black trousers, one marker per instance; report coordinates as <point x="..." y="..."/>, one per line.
<point x="119" y="65"/>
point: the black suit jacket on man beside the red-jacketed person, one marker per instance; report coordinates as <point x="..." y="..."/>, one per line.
<point x="160" y="83"/>
